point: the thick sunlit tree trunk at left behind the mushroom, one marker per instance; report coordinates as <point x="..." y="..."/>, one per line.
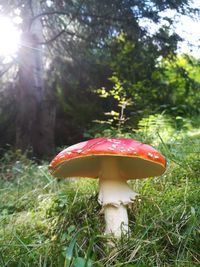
<point x="36" y="105"/>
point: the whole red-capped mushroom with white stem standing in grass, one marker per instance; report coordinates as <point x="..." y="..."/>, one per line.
<point x="113" y="161"/>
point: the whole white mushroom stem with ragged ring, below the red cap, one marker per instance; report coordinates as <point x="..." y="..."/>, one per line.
<point x="114" y="196"/>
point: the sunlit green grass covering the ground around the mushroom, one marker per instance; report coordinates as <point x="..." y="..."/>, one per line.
<point x="45" y="222"/>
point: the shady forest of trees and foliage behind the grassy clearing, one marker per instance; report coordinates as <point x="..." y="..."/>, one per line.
<point x="89" y="68"/>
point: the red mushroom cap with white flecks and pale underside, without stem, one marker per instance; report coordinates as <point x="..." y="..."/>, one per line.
<point x="135" y="159"/>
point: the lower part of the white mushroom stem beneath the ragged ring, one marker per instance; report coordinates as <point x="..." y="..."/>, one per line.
<point x="116" y="219"/>
